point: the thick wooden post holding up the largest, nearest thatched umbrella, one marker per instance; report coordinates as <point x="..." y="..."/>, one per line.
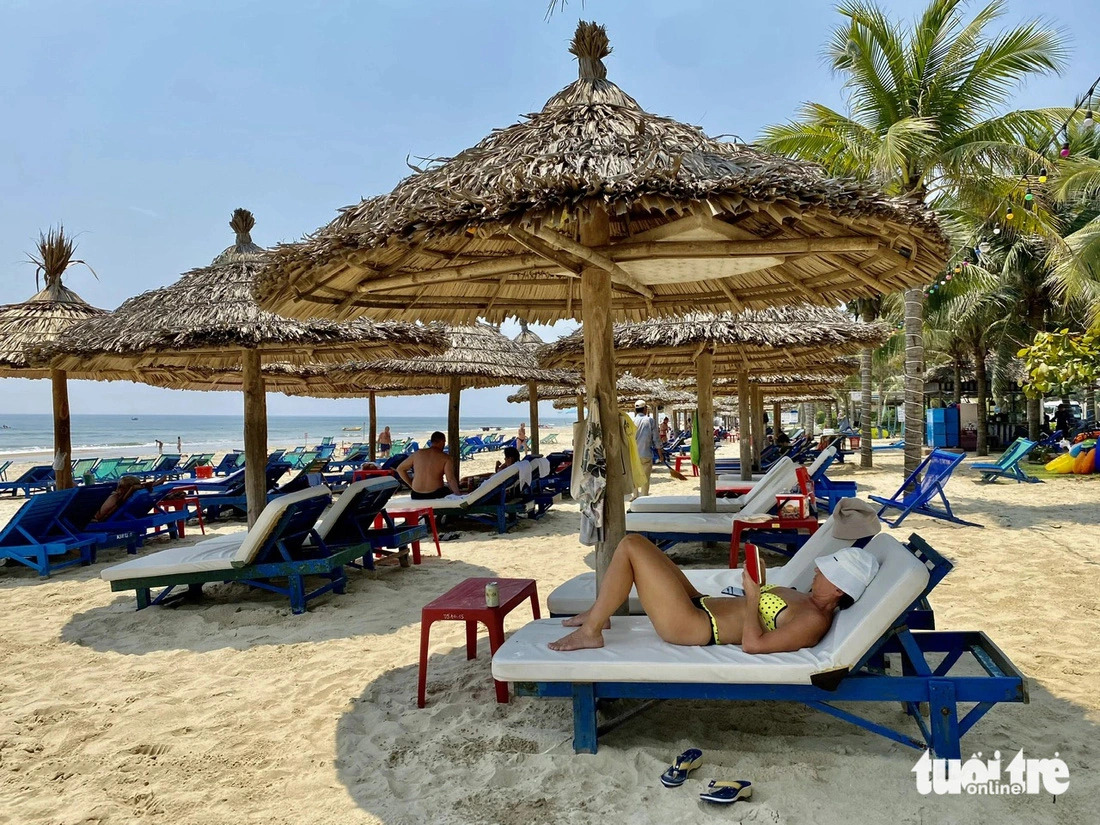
<point x="600" y="380"/>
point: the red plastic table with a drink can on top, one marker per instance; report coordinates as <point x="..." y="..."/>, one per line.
<point x="466" y="602"/>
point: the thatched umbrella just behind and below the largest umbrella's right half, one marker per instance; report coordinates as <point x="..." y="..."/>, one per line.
<point x="729" y="346"/>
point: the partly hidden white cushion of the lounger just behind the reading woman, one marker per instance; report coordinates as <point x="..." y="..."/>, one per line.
<point x="578" y="595"/>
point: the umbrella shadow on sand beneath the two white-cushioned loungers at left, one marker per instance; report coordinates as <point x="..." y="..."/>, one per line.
<point x="234" y="615"/>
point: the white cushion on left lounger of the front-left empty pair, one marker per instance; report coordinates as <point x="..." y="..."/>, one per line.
<point x="219" y="553"/>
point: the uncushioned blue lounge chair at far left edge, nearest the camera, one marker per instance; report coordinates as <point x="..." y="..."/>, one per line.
<point x="37" y="537"/>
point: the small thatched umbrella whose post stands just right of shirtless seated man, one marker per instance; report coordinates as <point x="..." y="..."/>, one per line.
<point x="478" y="357"/>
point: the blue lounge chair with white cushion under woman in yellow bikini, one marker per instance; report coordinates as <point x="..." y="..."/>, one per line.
<point x="846" y="666"/>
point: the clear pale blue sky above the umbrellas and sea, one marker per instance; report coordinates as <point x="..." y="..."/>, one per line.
<point x="144" y="125"/>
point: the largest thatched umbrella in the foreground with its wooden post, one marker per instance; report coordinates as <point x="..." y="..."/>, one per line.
<point x="596" y="210"/>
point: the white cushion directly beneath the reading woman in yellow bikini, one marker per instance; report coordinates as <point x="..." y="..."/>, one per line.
<point x="633" y="652"/>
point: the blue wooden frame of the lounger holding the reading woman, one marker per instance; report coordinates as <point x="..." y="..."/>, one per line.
<point x="922" y="684"/>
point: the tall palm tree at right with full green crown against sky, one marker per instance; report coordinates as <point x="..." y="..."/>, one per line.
<point x="923" y="118"/>
